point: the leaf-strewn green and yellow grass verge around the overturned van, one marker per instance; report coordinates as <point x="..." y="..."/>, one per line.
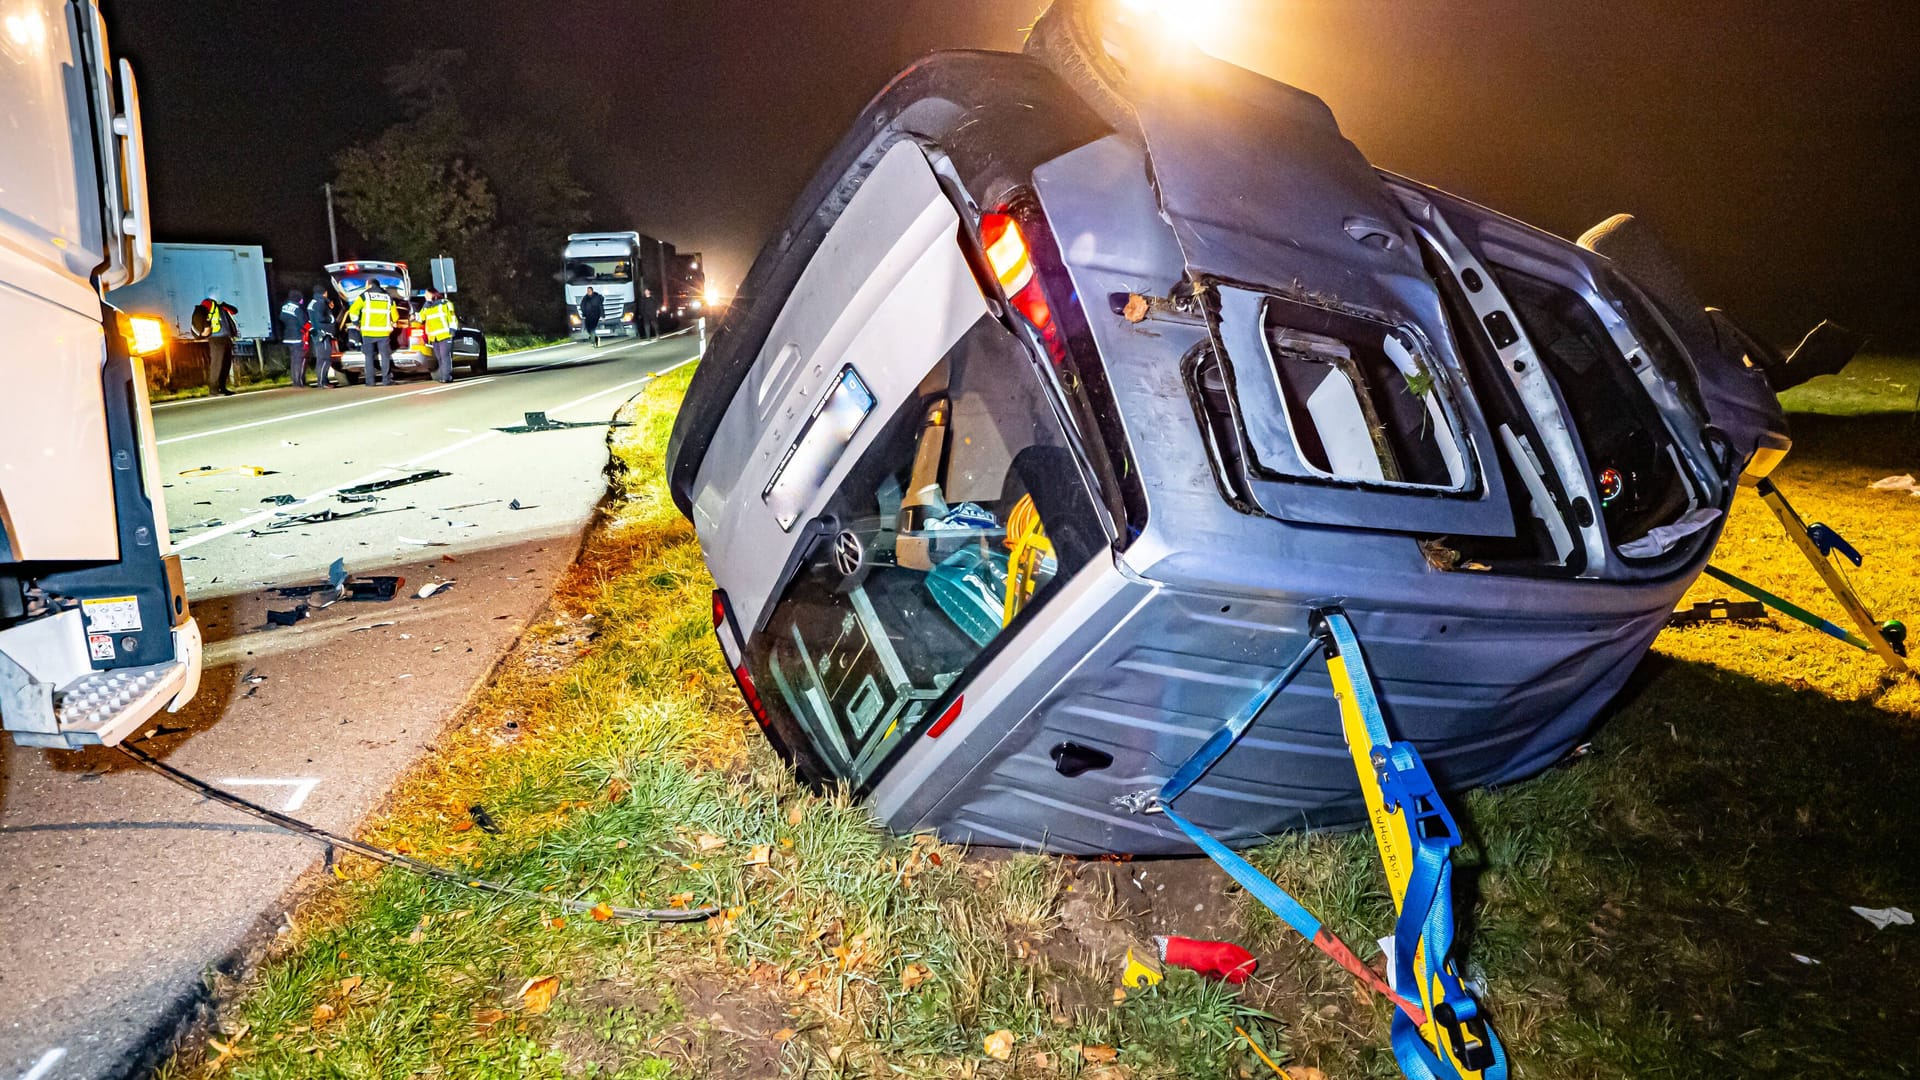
<point x="1633" y="914"/>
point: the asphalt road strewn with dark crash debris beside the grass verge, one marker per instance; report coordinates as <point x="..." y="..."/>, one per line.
<point x="118" y="891"/>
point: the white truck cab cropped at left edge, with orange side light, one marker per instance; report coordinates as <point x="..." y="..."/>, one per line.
<point x="95" y="633"/>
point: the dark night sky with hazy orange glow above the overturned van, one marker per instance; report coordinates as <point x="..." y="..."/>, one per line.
<point x="1775" y="145"/>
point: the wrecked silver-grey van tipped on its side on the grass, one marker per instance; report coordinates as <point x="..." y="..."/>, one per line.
<point x="1067" y="395"/>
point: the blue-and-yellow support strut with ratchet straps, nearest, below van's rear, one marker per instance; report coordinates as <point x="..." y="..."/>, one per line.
<point x="1426" y="927"/>
